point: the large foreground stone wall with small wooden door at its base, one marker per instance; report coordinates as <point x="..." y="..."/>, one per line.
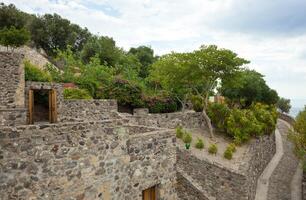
<point x="89" y="160"/>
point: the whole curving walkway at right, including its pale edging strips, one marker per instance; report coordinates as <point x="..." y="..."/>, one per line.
<point x="281" y="180"/>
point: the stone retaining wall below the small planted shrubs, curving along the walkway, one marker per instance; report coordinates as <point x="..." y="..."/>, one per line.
<point x="222" y="183"/>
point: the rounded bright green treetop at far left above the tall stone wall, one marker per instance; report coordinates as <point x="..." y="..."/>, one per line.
<point x="14" y="37"/>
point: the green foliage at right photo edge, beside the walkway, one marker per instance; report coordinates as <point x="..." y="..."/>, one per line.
<point x="298" y="136"/>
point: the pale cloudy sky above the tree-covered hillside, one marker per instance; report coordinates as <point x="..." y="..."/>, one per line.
<point x="269" y="33"/>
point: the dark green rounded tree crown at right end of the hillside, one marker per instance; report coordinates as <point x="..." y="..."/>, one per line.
<point x="248" y="87"/>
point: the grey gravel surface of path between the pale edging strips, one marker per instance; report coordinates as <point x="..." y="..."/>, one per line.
<point x="282" y="176"/>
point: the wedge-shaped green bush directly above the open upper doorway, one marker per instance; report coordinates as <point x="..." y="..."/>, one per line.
<point x="33" y="73"/>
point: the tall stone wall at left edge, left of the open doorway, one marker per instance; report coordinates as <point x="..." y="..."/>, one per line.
<point x="12" y="80"/>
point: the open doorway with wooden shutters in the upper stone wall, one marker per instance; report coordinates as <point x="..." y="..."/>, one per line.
<point x="42" y="106"/>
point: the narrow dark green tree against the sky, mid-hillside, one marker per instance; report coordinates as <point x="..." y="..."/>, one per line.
<point x="146" y="57"/>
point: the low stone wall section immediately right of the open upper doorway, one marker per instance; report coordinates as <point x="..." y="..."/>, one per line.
<point x="92" y="110"/>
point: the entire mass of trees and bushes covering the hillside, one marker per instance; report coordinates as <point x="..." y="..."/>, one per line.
<point x="139" y="78"/>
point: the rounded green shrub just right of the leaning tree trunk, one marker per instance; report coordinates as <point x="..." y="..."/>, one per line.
<point x="218" y="113"/>
